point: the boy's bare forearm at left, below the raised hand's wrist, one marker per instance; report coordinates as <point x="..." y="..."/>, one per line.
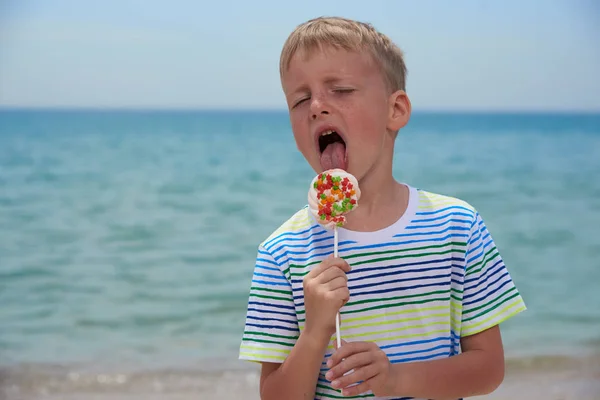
<point x="297" y="375"/>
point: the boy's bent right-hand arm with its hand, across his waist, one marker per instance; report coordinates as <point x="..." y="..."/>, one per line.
<point x="478" y="370"/>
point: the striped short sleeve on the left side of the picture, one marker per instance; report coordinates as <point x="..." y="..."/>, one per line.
<point x="271" y="327"/>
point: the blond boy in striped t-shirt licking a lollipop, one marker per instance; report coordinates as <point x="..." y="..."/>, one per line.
<point x="419" y="284"/>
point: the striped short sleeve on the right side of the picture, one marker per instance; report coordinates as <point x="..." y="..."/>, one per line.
<point x="489" y="293"/>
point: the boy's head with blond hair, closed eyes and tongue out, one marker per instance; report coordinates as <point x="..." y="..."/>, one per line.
<point x="344" y="76"/>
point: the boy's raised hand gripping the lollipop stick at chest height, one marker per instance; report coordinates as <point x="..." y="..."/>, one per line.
<point x="325" y="292"/>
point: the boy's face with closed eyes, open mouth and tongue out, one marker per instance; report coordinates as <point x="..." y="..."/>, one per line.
<point x="336" y="90"/>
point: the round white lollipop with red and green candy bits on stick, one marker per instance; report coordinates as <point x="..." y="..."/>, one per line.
<point x="332" y="195"/>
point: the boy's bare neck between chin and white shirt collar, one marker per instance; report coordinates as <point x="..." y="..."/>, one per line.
<point x="382" y="202"/>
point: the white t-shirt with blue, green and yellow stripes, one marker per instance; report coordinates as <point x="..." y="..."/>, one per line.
<point x="416" y="287"/>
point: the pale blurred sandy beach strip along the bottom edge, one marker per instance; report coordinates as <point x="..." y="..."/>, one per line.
<point x="550" y="379"/>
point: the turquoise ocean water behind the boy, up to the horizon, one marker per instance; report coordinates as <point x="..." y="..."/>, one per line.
<point x="127" y="239"/>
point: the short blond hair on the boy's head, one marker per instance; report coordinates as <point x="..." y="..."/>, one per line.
<point x="342" y="33"/>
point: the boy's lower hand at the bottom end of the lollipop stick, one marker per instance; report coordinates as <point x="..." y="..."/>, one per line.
<point x="371" y="367"/>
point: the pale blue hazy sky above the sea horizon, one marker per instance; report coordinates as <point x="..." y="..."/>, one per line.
<point x="461" y="55"/>
